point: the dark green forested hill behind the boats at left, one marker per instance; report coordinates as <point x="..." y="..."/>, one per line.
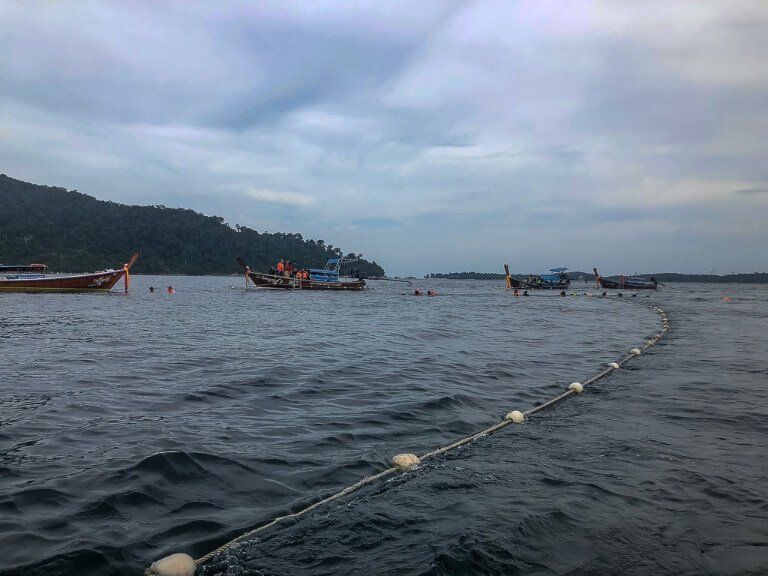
<point x="72" y="232"/>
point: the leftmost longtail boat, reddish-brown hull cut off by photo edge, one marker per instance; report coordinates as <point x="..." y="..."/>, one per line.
<point x="32" y="278"/>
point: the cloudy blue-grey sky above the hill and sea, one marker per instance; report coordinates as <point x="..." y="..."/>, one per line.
<point x="430" y="136"/>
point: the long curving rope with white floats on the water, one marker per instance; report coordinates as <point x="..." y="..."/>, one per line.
<point x="184" y="565"/>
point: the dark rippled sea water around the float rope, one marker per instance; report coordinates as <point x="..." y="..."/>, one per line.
<point x="133" y="427"/>
